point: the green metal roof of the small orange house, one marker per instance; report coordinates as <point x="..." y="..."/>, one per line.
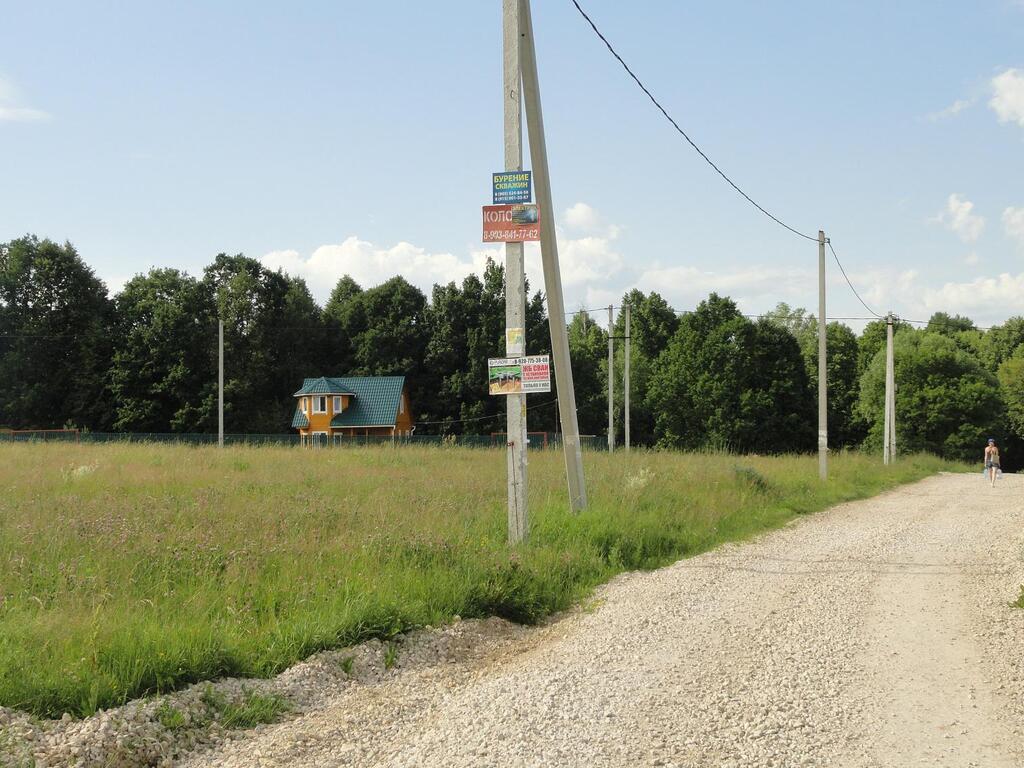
<point x="374" y="401"/>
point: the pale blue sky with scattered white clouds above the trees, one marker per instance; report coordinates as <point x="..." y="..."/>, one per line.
<point x="327" y="138"/>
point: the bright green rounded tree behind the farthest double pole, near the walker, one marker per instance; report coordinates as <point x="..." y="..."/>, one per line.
<point x="948" y="403"/>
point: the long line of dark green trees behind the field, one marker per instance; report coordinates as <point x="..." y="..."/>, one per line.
<point x="146" y="360"/>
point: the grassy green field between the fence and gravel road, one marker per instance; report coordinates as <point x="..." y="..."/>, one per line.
<point x="133" y="570"/>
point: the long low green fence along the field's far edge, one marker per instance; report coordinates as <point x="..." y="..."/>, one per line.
<point x="539" y="441"/>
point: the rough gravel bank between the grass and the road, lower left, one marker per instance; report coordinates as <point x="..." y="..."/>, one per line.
<point x="162" y="731"/>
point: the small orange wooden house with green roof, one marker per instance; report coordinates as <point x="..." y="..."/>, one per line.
<point x="328" y="410"/>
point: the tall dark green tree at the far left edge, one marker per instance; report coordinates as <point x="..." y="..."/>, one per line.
<point x="56" y="320"/>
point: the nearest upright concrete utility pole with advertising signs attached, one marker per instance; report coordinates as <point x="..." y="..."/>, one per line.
<point x="516" y="280"/>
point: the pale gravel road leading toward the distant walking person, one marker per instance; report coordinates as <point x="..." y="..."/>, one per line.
<point x="880" y="633"/>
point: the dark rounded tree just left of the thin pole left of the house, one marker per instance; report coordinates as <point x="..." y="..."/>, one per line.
<point x="163" y="376"/>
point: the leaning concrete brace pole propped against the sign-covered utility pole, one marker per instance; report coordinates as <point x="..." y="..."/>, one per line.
<point x="549" y="257"/>
